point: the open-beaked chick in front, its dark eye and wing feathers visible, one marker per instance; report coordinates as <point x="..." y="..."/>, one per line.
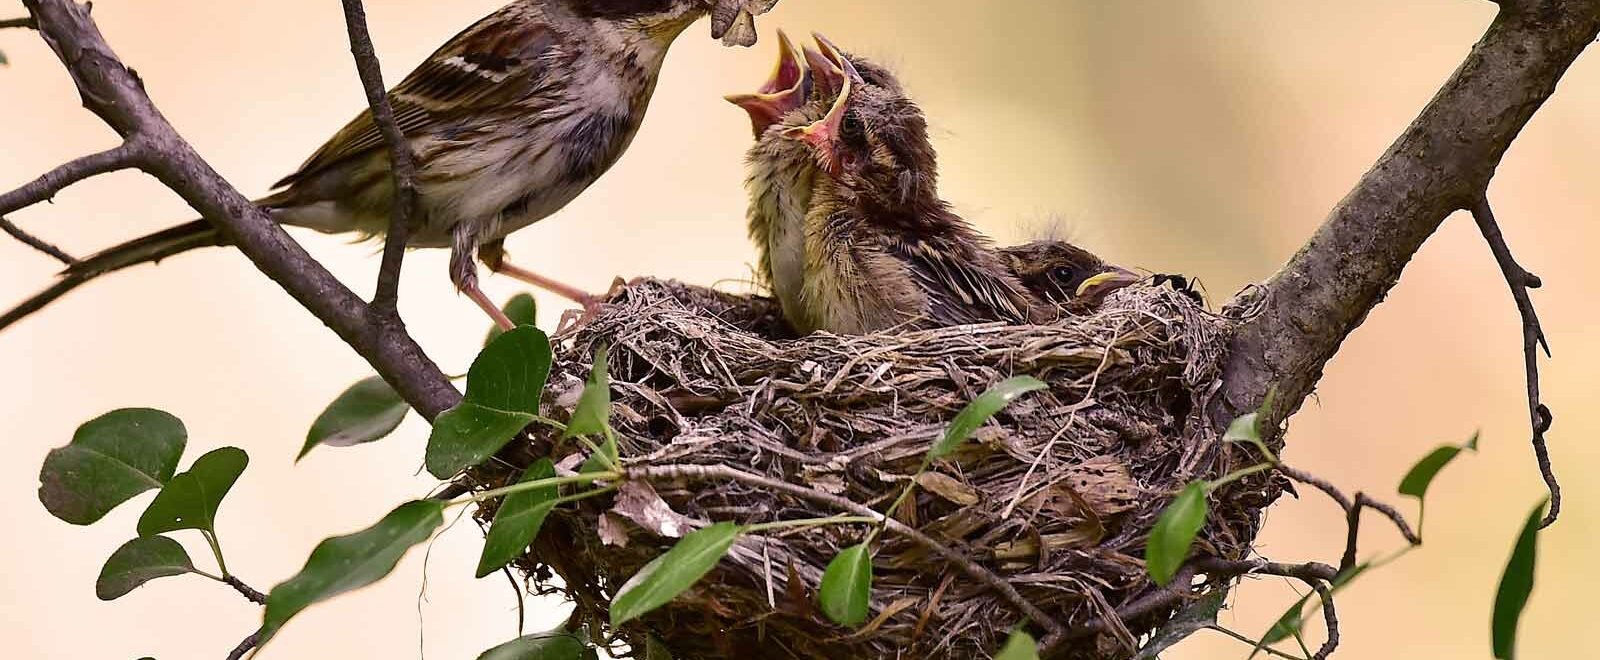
<point x="882" y="251"/>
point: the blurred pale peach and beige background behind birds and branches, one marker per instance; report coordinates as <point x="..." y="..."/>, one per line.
<point x="1194" y="137"/>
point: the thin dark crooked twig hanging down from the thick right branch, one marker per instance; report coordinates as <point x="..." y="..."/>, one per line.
<point x="1521" y="281"/>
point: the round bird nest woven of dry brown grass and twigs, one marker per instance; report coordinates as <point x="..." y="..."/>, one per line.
<point x="1057" y="496"/>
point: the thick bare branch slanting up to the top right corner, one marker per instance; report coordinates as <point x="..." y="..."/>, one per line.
<point x="1441" y="164"/>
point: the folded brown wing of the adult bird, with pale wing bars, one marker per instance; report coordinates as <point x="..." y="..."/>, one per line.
<point x="498" y="60"/>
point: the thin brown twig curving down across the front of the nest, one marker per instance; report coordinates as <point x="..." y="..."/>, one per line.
<point x="970" y="568"/>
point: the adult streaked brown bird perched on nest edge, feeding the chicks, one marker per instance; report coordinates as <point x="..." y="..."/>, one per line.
<point x="510" y="121"/>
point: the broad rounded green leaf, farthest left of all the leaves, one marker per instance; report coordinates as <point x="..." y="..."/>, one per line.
<point x="110" y="461"/>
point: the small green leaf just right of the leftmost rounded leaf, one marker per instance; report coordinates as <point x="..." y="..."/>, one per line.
<point x="190" y="501"/>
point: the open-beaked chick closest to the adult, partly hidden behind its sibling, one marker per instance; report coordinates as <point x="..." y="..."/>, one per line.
<point x="782" y="171"/>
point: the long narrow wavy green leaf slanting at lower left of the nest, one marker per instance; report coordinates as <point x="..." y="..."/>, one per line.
<point x="353" y="561"/>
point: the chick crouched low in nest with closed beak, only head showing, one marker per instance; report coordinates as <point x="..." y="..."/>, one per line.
<point x="1065" y="275"/>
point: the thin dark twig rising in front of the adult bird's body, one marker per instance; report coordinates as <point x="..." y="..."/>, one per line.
<point x="401" y="163"/>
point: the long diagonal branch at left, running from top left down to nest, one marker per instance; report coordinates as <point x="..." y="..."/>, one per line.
<point x="118" y="97"/>
